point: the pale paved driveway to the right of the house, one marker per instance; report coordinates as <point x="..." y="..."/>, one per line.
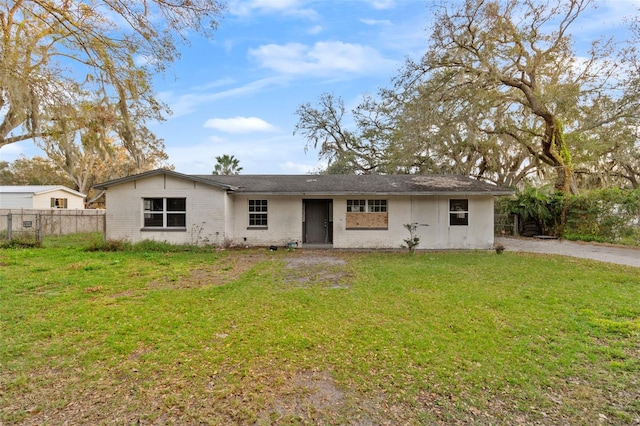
<point x="602" y="252"/>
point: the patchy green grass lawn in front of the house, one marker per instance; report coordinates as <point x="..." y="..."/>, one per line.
<point x="316" y="337"/>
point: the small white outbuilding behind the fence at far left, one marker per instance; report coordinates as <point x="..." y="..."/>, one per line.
<point x="40" y="197"/>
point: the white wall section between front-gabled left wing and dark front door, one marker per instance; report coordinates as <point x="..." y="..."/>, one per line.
<point x="284" y="221"/>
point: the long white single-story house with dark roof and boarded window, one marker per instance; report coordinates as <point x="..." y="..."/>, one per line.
<point x="341" y="211"/>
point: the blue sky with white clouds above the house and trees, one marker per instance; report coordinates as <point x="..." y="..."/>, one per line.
<point x="237" y="94"/>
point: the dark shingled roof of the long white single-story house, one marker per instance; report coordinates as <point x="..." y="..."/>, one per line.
<point x="335" y="184"/>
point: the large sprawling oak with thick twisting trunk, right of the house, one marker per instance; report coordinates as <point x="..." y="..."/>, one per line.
<point x="518" y="54"/>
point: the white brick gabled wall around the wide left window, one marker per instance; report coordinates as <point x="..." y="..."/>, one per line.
<point x="205" y="211"/>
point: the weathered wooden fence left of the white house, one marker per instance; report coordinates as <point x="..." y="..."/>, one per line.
<point x="37" y="224"/>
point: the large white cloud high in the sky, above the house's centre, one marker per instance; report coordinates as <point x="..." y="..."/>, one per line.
<point x="322" y="58"/>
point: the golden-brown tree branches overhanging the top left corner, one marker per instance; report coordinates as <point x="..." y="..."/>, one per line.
<point x="54" y="52"/>
